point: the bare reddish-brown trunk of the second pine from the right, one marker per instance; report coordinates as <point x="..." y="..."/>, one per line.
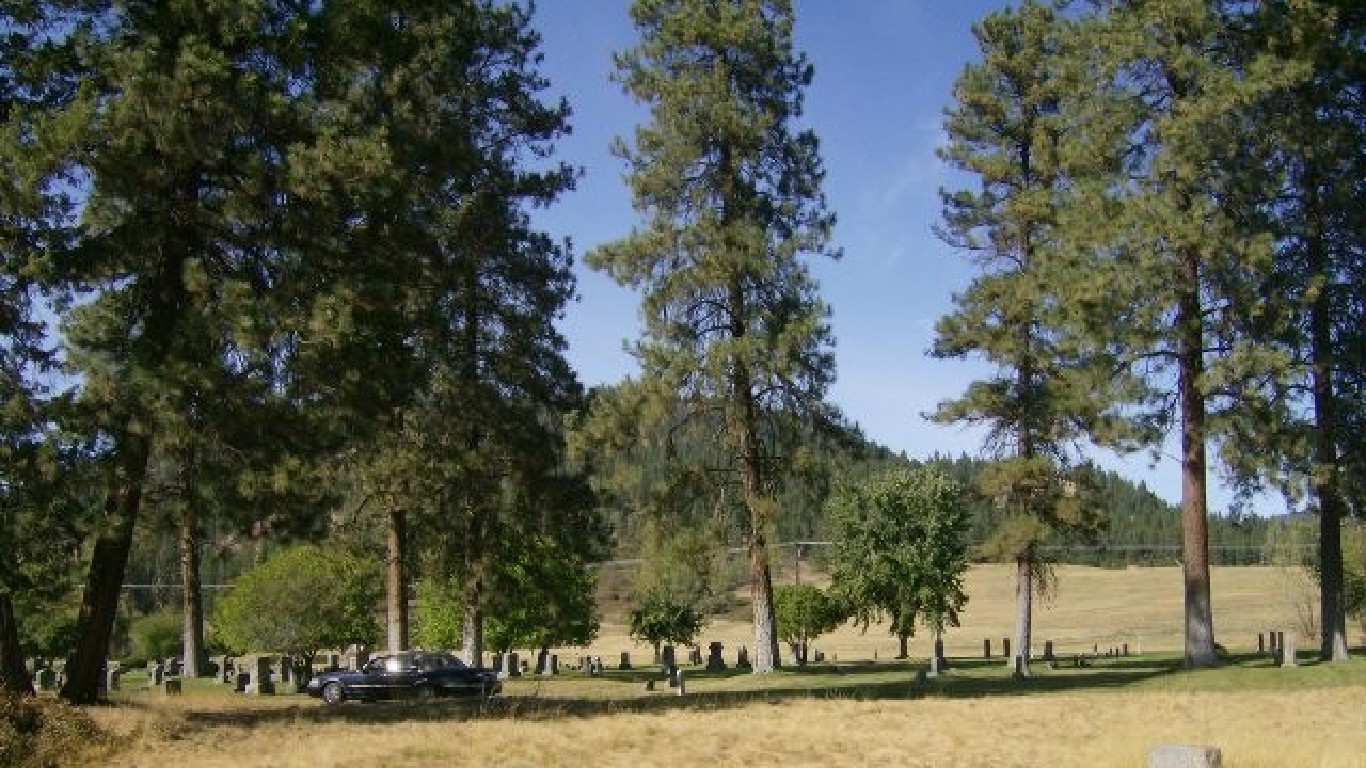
<point x="1200" y="621"/>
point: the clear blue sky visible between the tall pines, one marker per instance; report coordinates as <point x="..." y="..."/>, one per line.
<point x="884" y="70"/>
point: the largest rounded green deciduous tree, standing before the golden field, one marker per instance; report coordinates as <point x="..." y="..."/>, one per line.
<point x="901" y="550"/>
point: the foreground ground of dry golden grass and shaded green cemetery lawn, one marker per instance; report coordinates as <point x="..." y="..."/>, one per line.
<point x="849" y="714"/>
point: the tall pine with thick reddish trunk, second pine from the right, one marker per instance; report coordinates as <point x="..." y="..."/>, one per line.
<point x="1171" y="260"/>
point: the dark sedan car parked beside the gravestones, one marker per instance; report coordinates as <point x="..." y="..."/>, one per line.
<point x="405" y="676"/>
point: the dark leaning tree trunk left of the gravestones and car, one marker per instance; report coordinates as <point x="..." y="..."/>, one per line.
<point x="100" y="602"/>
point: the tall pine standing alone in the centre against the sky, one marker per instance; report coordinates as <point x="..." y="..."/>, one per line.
<point x="736" y="334"/>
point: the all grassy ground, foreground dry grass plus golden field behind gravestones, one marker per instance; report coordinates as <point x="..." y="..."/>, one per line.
<point x="852" y="713"/>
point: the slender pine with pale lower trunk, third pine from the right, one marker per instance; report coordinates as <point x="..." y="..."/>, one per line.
<point x="1006" y="128"/>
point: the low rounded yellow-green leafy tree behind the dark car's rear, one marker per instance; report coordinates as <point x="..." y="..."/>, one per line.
<point x="301" y="601"/>
